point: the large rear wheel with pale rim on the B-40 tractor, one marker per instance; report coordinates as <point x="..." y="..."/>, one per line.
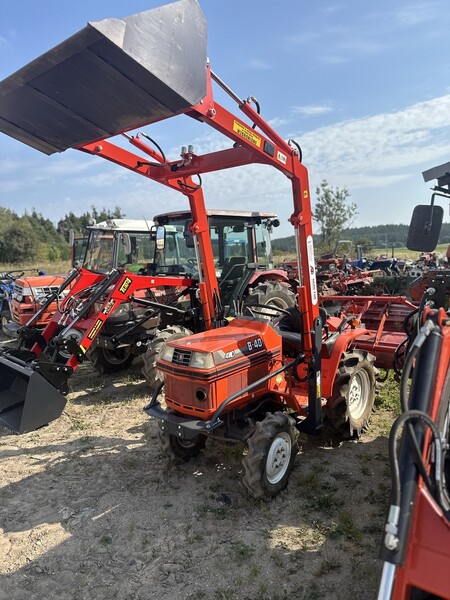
<point x="348" y="410"/>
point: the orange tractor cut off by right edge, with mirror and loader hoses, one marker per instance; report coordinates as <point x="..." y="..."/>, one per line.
<point x="416" y="542"/>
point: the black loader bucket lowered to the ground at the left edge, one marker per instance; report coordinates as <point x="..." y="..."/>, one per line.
<point x="27" y="400"/>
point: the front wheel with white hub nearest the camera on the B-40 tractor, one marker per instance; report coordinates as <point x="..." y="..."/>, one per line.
<point x="271" y="454"/>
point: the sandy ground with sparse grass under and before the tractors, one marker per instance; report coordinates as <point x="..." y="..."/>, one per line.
<point x="91" y="509"/>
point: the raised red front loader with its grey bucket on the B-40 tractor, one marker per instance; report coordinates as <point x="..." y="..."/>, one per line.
<point x="118" y="75"/>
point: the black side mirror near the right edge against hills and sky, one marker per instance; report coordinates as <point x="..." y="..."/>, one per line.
<point x="425" y="227"/>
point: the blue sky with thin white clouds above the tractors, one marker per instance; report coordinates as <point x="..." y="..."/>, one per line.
<point x="363" y="87"/>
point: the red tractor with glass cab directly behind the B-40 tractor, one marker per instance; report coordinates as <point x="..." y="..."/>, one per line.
<point x="241" y="246"/>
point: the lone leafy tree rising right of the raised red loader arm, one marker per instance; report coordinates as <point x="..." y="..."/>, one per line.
<point x="333" y="212"/>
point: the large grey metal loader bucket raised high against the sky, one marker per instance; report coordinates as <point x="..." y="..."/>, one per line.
<point x="112" y="76"/>
